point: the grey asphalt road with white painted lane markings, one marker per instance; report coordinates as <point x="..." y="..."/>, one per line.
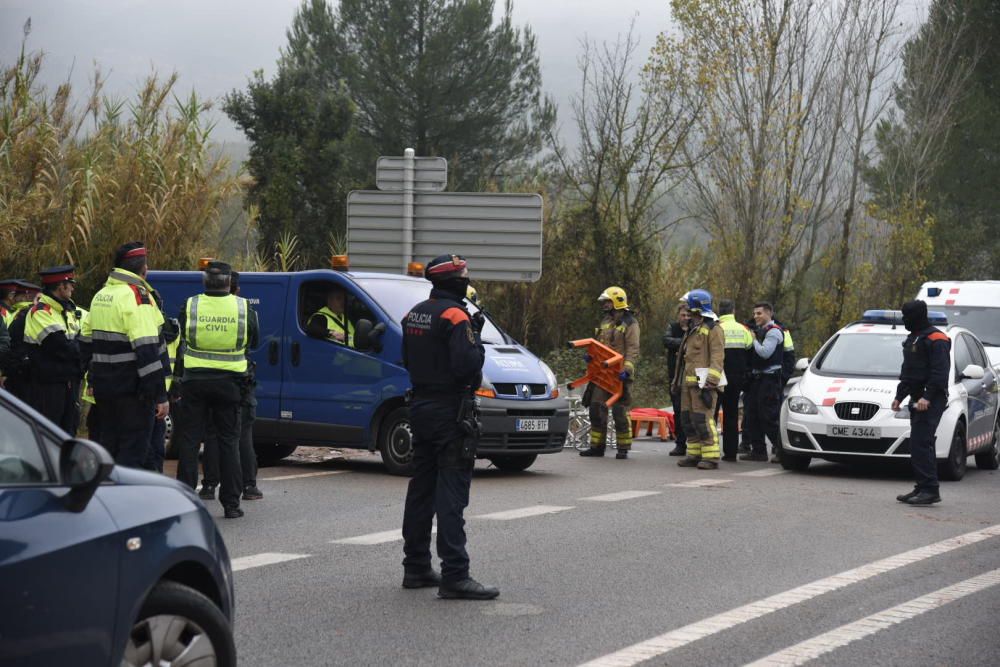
<point x="755" y="565"/>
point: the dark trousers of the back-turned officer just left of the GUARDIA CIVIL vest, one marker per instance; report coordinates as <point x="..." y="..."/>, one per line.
<point x="126" y="423"/>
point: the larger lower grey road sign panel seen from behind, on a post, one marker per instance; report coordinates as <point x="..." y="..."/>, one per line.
<point x="499" y="233"/>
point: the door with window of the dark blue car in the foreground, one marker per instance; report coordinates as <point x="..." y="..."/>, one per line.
<point x="58" y="569"/>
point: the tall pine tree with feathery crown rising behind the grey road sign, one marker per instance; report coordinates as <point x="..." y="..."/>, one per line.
<point x="434" y="75"/>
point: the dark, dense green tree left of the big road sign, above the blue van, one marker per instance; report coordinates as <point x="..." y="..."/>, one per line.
<point x="300" y="158"/>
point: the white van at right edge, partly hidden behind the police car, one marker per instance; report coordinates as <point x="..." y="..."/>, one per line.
<point x="973" y="304"/>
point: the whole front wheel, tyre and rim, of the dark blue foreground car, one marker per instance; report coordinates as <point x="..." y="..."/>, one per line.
<point x="205" y="629"/>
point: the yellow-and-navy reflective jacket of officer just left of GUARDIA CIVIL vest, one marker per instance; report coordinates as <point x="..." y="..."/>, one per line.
<point x="121" y="340"/>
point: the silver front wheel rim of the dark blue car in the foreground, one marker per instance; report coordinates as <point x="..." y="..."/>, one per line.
<point x="169" y="640"/>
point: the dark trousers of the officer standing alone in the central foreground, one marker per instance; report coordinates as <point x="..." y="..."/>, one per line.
<point x="439" y="487"/>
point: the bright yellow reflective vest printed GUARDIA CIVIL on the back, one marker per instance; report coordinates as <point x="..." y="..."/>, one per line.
<point x="215" y="333"/>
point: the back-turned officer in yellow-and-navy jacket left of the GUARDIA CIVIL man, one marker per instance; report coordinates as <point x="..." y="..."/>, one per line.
<point x="121" y="342"/>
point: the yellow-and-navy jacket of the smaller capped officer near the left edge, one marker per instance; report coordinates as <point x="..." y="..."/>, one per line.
<point x="50" y="331"/>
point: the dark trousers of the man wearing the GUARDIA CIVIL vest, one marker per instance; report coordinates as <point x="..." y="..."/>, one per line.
<point x="215" y="402"/>
